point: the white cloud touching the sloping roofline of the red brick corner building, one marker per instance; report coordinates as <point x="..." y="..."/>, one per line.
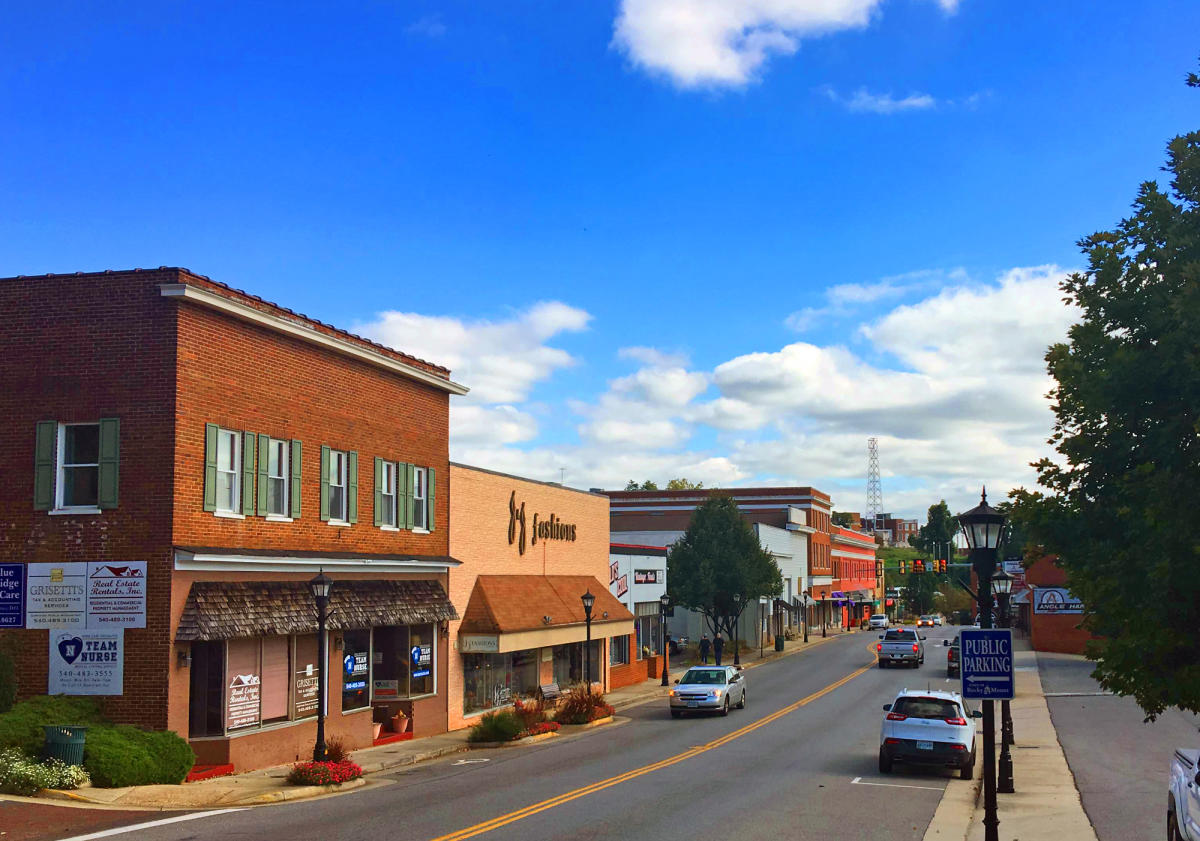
<point x="502" y="362"/>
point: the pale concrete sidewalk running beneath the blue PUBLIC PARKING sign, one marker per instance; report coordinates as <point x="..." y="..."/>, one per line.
<point x="1046" y="806"/>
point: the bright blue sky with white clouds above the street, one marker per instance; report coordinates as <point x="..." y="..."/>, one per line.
<point x="800" y="218"/>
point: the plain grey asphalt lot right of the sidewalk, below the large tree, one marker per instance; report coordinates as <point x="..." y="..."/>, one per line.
<point x="1120" y="762"/>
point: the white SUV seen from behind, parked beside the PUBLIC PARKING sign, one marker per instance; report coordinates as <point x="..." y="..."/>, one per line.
<point x="929" y="729"/>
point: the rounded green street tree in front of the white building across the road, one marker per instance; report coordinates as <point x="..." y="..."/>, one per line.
<point x="718" y="558"/>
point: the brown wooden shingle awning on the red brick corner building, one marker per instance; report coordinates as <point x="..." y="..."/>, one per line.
<point x="229" y="610"/>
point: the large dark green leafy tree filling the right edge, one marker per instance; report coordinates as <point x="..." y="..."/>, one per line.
<point x="1127" y="429"/>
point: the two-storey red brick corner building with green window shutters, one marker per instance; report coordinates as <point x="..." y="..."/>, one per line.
<point x="226" y="449"/>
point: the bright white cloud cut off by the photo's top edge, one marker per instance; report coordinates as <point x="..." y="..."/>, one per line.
<point x="727" y="43"/>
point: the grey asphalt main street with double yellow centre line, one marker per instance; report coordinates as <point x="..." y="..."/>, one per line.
<point x="799" y="764"/>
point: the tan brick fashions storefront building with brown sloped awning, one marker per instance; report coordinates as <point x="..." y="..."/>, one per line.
<point x="530" y="552"/>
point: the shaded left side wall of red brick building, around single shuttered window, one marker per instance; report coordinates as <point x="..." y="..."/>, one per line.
<point x="79" y="349"/>
